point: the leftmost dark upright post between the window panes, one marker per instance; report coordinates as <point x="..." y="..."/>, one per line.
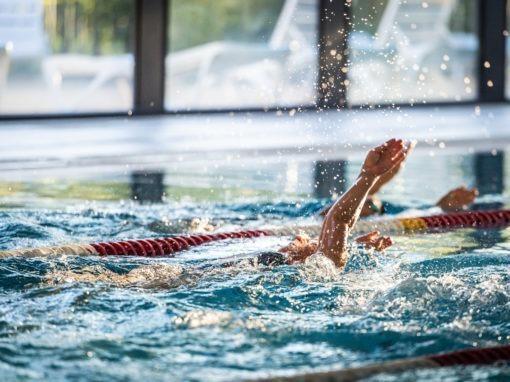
<point x="150" y="52"/>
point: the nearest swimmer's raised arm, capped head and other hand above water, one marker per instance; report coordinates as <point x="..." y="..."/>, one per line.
<point x="344" y="213"/>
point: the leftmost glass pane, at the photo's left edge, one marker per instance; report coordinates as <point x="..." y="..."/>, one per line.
<point x="66" y="56"/>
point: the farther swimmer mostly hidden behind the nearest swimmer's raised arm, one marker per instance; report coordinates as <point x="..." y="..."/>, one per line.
<point x="458" y="199"/>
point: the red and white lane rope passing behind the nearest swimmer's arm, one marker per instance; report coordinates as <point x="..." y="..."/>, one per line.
<point x="168" y="246"/>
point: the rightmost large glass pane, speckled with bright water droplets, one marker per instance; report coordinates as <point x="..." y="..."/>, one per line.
<point x="410" y="51"/>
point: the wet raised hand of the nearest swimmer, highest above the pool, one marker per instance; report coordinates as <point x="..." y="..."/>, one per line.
<point x="384" y="158"/>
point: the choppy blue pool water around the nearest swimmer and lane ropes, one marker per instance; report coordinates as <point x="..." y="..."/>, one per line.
<point x="185" y="318"/>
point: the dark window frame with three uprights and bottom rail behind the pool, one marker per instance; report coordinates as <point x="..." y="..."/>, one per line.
<point x="151" y="23"/>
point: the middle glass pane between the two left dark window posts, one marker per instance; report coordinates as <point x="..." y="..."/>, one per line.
<point x="227" y="54"/>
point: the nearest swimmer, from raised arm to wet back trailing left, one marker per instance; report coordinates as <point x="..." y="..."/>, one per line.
<point x="332" y="241"/>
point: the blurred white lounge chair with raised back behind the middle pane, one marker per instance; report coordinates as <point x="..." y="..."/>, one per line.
<point x="290" y="48"/>
